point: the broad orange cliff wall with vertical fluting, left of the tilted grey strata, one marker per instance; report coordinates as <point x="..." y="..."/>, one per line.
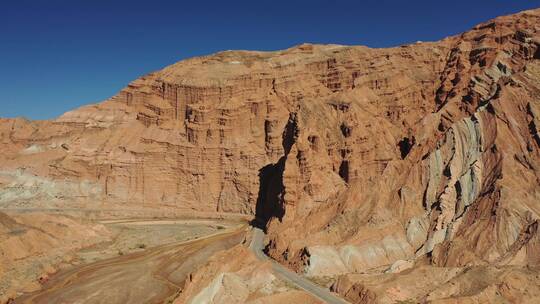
<point x="212" y="133"/>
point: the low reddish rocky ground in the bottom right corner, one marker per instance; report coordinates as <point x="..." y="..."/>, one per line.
<point x="428" y="284"/>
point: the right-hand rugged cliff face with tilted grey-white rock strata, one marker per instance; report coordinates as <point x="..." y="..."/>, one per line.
<point x="448" y="169"/>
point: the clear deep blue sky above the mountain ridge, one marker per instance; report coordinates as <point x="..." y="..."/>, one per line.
<point x="59" y="55"/>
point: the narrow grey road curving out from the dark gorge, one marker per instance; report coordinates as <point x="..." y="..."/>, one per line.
<point x="257" y="246"/>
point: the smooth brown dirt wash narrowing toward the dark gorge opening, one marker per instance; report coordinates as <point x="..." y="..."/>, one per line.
<point x="150" y="276"/>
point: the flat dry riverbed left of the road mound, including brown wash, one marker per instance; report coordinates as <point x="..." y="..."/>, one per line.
<point x="63" y="259"/>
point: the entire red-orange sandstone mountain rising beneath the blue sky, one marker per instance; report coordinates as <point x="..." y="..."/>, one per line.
<point x="361" y="162"/>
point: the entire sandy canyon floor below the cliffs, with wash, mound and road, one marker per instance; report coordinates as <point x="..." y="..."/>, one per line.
<point x="102" y="256"/>
